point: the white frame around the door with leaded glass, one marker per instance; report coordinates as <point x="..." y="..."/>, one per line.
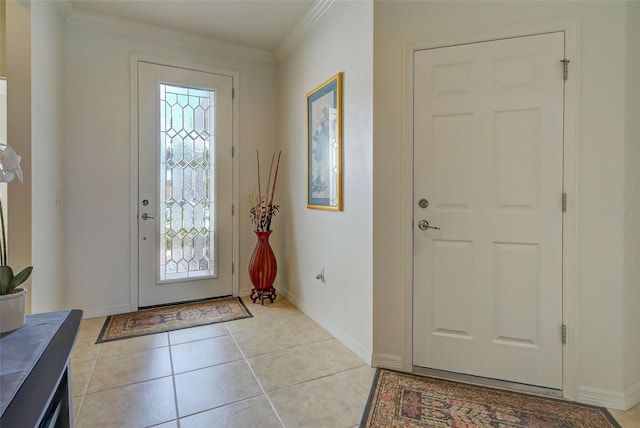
<point x="133" y="136"/>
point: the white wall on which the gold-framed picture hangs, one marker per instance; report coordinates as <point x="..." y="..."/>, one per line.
<point x="340" y="242"/>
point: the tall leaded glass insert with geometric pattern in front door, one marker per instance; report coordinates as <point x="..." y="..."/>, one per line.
<point x="187" y="183"/>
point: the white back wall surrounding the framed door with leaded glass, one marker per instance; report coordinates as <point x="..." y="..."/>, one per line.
<point x="97" y="153"/>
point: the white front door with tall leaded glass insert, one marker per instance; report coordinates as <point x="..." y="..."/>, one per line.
<point x="184" y="184"/>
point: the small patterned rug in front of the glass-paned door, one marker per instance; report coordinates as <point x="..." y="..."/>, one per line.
<point x="172" y="317"/>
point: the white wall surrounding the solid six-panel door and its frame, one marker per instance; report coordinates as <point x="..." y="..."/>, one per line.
<point x="600" y="309"/>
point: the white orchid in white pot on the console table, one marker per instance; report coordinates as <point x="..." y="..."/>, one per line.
<point x="12" y="298"/>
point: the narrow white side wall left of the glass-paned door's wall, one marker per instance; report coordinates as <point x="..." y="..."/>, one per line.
<point x="47" y="121"/>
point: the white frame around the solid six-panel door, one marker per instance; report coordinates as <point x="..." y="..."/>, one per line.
<point x="569" y="218"/>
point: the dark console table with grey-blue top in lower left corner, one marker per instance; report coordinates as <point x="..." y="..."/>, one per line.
<point x="35" y="381"/>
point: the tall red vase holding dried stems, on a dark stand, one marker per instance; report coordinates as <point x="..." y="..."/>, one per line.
<point x="263" y="266"/>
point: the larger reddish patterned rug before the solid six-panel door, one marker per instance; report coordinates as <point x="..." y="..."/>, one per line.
<point x="405" y="400"/>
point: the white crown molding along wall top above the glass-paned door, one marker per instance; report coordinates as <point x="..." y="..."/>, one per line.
<point x="151" y="32"/>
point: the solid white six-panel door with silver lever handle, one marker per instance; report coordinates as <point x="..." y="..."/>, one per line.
<point x="488" y="162"/>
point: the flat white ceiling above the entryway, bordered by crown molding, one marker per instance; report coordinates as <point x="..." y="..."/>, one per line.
<point x="261" y="24"/>
